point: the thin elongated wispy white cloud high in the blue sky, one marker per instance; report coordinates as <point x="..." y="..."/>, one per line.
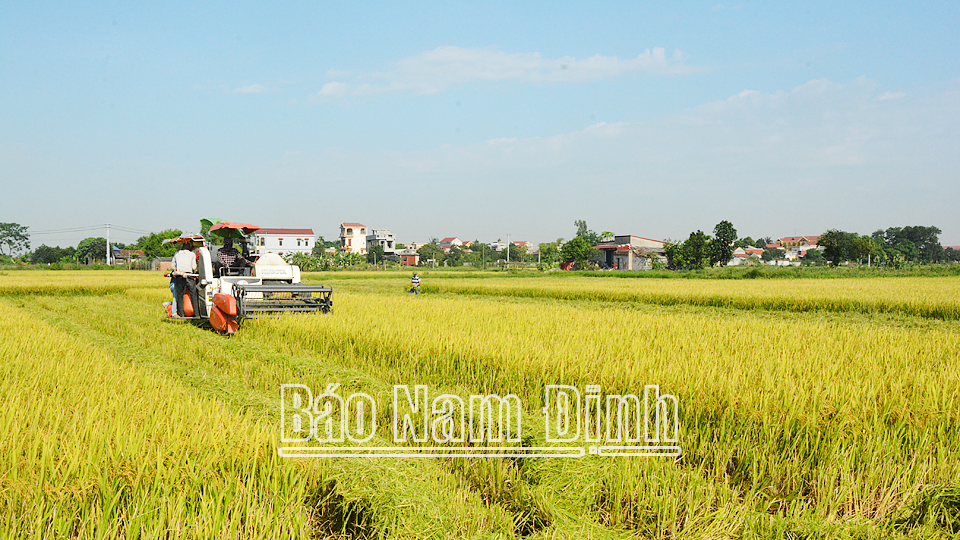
<point x="433" y="71"/>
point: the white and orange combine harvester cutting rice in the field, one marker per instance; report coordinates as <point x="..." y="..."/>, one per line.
<point x="223" y="297"/>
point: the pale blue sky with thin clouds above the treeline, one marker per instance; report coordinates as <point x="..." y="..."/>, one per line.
<point x="480" y="120"/>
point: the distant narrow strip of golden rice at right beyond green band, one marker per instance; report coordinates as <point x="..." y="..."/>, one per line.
<point x="937" y="297"/>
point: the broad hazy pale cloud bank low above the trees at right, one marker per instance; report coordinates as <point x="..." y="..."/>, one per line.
<point x="794" y="161"/>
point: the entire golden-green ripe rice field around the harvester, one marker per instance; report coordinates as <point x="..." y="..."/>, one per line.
<point x="815" y="408"/>
